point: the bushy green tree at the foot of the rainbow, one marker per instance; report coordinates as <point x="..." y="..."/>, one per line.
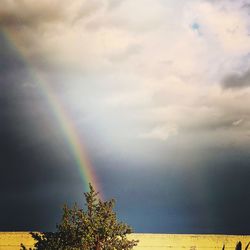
<point x="95" y="228"/>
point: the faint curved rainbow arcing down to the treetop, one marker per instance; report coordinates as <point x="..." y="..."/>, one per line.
<point x="65" y="122"/>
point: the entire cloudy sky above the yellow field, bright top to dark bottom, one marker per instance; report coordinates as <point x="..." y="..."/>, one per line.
<point x="158" y="95"/>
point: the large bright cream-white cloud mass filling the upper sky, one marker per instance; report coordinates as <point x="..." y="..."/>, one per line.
<point x="138" y="65"/>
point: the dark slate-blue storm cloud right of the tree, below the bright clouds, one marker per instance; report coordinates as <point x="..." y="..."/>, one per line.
<point x="211" y="196"/>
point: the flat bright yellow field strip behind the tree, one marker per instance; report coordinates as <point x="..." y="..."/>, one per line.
<point x="12" y="241"/>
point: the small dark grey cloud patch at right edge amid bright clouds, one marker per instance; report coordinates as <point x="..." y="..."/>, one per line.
<point x="236" y="81"/>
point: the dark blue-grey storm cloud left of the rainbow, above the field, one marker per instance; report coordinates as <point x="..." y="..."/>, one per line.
<point x="31" y="186"/>
